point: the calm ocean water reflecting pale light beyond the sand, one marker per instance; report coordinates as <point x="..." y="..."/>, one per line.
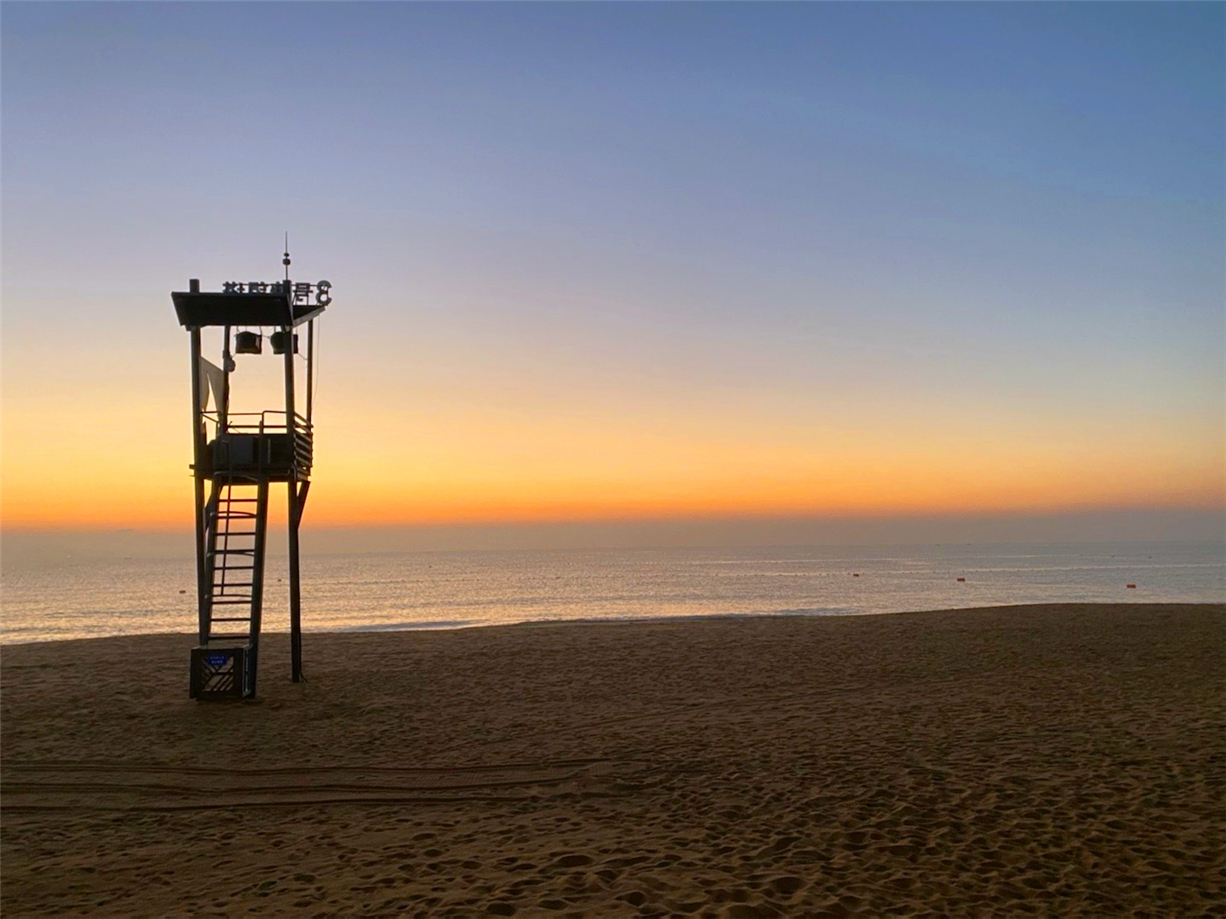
<point x="67" y="600"/>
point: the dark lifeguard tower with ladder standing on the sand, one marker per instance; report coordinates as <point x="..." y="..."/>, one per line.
<point x="237" y="456"/>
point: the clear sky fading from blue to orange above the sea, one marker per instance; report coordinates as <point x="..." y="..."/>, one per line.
<point x="605" y="264"/>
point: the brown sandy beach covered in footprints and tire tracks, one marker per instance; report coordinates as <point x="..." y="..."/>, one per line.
<point x="1061" y="760"/>
